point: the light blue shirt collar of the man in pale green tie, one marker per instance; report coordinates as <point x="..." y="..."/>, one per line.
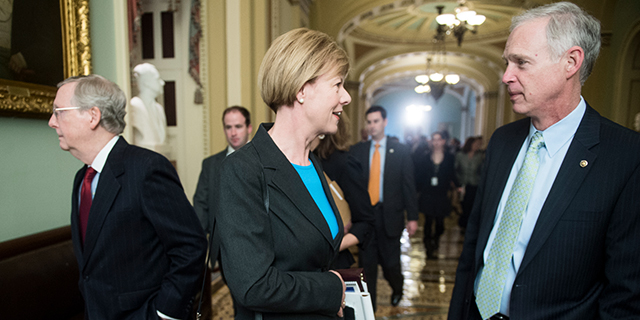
<point x="562" y="131"/>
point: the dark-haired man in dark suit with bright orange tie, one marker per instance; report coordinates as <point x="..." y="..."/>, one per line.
<point x="392" y="191"/>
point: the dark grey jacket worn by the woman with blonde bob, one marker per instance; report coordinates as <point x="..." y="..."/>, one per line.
<point x="276" y="263"/>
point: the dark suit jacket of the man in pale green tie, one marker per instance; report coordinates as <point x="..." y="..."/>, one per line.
<point x="582" y="259"/>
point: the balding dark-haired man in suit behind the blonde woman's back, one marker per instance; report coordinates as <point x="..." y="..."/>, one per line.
<point x="236" y="121"/>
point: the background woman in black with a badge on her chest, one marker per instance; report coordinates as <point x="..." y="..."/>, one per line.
<point x="434" y="178"/>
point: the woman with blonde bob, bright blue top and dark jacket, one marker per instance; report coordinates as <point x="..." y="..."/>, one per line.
<point x="278" y="225"/>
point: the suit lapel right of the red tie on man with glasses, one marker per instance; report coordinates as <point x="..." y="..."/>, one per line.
<point x="106" y="192"/>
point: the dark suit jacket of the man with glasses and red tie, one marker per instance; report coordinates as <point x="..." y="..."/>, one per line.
<point x="144" y="248"/>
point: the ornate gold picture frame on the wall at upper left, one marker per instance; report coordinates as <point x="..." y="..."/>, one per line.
<point x="23" y="99"/>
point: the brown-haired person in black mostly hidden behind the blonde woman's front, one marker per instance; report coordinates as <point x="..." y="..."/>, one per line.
<point x="346" y="171"/>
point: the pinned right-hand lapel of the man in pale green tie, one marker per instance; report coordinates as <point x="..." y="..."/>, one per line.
<point x="567" y="182"/>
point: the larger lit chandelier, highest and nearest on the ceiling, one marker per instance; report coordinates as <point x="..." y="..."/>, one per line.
<point x="464" y="19"/>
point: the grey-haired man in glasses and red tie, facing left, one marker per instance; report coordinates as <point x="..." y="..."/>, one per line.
<point x="137" y="240"/>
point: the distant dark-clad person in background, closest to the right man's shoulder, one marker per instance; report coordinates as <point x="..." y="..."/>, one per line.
<point x="468" y="166"/>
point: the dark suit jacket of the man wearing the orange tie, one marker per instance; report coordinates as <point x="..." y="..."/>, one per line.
<point x="399" y="185"/>
